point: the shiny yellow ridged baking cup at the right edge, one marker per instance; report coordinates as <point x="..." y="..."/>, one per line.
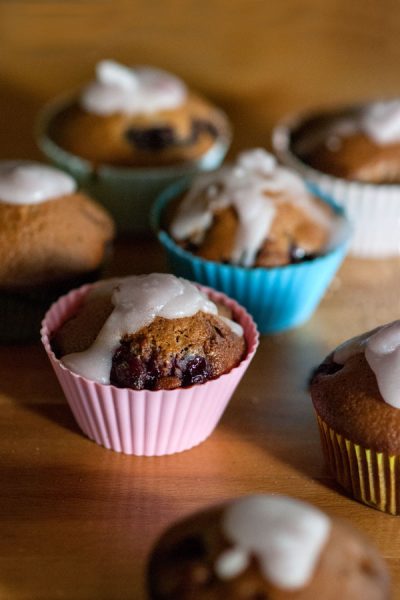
<point x="369" y="476"/>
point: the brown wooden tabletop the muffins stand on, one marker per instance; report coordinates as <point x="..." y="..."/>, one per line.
<point x="78" y="521"/>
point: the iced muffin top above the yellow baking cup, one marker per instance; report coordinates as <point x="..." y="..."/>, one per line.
<point x="356" y="389"/>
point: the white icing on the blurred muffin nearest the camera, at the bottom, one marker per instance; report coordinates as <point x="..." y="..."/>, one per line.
<point x="285" y="535"/>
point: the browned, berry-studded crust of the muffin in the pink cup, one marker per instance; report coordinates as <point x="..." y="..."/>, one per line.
<point x="166" y="354"/>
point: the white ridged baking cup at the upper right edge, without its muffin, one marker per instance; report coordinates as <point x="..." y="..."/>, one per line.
<point x="373" y="209"/>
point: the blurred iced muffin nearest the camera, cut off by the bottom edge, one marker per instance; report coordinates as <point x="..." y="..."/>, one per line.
<point x="260" y="547"/>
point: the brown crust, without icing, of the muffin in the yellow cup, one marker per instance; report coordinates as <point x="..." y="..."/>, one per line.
<point x="348" y="399"/>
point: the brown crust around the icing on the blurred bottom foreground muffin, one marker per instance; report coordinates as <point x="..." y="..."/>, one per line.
<point x="181" y="567"/>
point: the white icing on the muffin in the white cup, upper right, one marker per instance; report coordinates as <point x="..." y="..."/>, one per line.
<point x="381" y="122"/>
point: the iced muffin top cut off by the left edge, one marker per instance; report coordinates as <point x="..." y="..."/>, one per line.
<point x="49" y="231"/>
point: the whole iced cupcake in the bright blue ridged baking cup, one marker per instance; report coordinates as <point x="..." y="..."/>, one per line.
<point x="256" y="232"/>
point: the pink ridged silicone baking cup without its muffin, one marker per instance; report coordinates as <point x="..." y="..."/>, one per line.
<point x="146" y="423"/>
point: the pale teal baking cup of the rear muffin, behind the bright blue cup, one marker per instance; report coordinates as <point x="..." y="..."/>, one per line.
<point x="126" y="192"/>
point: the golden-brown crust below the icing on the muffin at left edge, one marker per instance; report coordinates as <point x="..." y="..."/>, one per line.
<point x="56" y="240"/>
